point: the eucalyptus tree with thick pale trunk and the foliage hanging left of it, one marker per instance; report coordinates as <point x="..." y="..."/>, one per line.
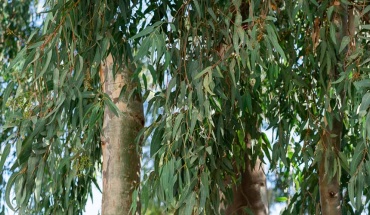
<point x="60" y="90"/>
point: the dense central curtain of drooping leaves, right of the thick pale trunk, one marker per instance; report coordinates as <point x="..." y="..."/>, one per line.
<point x="199" y="137"/>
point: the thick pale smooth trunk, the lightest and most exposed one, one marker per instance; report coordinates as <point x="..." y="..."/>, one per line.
<point x="121" y="156"/>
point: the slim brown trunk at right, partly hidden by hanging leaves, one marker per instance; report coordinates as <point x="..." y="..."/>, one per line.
<point x="329" y="185"/>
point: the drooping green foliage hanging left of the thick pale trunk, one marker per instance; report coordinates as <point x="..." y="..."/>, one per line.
<point x="56" y="106"/>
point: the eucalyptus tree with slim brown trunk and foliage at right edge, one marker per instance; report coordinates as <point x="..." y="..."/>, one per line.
<point x="323" y="97"/>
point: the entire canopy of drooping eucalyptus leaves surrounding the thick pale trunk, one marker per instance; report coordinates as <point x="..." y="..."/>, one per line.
<point x="214" y="73"/>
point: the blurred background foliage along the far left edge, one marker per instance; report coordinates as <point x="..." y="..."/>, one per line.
<point x="17" y="19"/>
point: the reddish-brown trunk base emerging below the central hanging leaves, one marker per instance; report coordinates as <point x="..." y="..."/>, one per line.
<point x="252" y="192"/>
